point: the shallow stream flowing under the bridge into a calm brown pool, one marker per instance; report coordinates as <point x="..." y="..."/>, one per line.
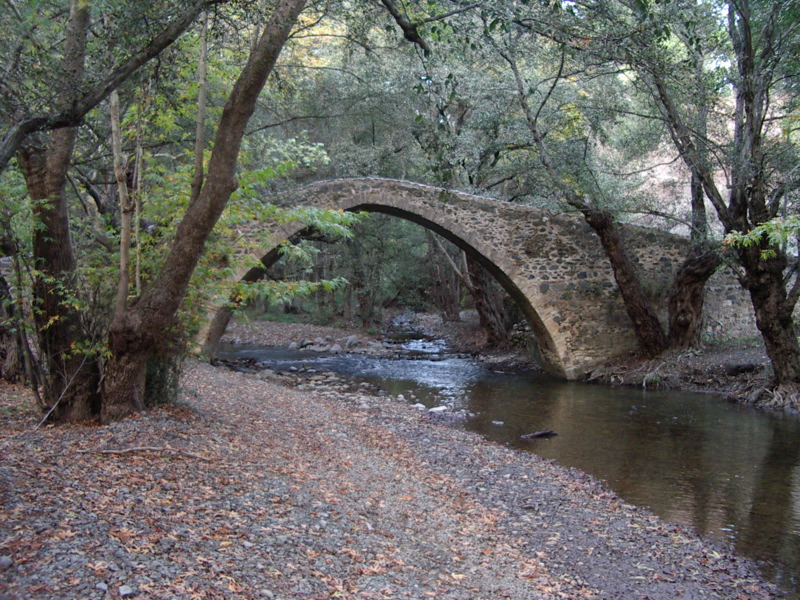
<point x="730" y="472"/>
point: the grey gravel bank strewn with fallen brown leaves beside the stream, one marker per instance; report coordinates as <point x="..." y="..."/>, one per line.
<point x="251" y="490"/>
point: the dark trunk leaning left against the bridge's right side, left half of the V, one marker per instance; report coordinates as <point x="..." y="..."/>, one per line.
<point x="649" y="331"/>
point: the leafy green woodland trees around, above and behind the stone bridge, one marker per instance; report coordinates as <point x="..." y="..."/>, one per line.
<point x="135" y="136"/>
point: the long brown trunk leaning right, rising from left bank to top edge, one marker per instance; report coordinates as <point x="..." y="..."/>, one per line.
<point x="135" y="335"/>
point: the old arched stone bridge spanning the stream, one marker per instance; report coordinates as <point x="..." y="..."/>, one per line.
<point x="551" y="264"/>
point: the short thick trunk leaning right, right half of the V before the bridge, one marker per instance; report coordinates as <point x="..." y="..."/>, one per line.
<point x="686" y="297"/>
